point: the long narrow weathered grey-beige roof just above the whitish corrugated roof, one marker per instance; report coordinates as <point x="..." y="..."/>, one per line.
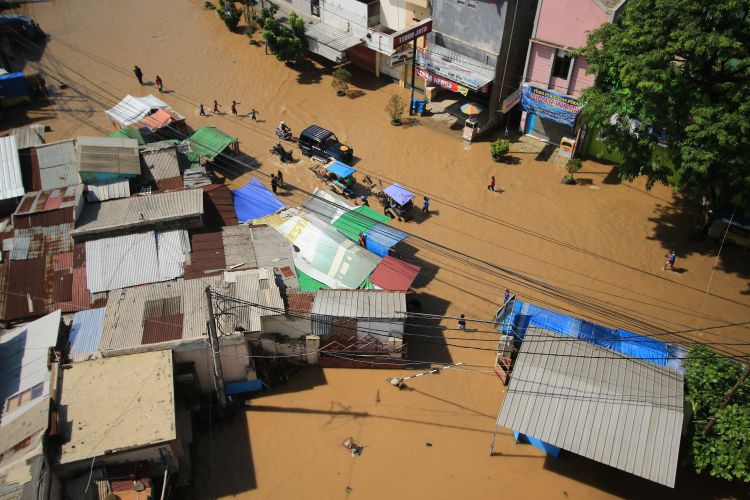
<point x="141" y="211"/>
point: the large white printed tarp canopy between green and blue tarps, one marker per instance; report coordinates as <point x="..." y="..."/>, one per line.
<point x="324" y="254"/>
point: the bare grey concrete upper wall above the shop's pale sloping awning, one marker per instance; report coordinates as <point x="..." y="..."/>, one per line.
<point x="470" y="27"/>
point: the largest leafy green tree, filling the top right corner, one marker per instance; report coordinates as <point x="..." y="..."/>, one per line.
<point x="676" y="73"/>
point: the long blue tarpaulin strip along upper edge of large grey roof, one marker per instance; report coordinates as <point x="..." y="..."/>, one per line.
<point x="525" y="315"/>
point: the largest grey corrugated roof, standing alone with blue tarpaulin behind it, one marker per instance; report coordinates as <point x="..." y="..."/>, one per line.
<point x="606" y="406"/>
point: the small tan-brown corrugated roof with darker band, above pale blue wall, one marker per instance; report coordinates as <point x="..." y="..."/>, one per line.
<point x="108" y="154"/>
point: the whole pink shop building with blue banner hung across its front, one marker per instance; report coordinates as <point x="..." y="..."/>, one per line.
<point x="554" y="77"/>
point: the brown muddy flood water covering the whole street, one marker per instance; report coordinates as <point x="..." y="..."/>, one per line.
<point x="595" y="250"/>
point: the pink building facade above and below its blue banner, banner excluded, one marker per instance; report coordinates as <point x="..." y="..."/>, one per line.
<point x="560" y="27"/>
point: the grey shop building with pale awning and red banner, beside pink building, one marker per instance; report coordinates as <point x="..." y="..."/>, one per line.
<point x="476" y="49"/>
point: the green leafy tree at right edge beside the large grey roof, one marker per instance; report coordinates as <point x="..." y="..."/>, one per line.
<point x="725" y="452"/>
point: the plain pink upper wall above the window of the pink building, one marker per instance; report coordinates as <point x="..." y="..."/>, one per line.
<point x="565" y="22"/>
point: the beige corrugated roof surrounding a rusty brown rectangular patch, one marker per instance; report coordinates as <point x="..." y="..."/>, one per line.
<point x="124" y="323"/>
